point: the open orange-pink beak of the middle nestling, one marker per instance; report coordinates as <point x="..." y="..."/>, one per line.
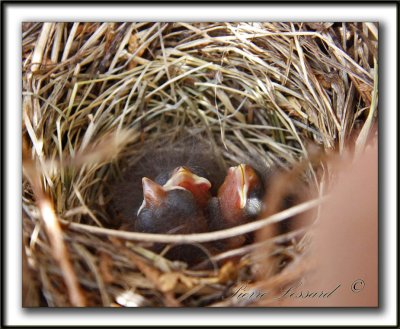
<point x="198" y="186"/>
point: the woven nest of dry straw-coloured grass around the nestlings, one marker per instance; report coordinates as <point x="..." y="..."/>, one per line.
<point x="95" y="95"/>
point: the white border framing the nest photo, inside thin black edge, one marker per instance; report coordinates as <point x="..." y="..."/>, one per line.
<point x="15" y="14"/>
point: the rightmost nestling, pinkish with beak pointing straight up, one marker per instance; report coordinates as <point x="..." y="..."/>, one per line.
<point x="239" y="200"/>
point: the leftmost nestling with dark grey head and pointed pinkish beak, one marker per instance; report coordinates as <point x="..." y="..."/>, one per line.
<point x="173" y="209"/>
